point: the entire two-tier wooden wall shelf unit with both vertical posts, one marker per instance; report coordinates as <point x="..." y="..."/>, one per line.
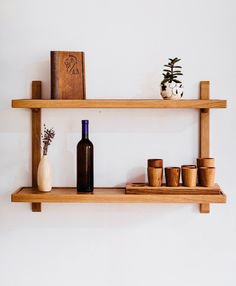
<point x="199" y="195"/>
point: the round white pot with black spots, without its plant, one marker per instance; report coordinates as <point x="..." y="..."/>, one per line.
<point x="172" y="90"/>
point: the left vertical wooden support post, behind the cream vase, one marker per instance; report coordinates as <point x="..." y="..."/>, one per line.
<point x="36" y="139"/>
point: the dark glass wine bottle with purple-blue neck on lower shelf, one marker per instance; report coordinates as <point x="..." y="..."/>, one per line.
<point x="85" y="161"/>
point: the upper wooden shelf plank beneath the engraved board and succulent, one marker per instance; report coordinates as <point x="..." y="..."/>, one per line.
<point x="118" y="103"/>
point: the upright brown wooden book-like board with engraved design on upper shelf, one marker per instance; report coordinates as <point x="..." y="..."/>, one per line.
<point x="67" y="75"/>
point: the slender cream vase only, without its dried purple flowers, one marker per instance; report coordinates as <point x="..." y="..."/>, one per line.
<point x="44" y="178"/>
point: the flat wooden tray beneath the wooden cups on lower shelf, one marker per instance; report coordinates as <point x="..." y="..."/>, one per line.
<point x="144" y="188"/>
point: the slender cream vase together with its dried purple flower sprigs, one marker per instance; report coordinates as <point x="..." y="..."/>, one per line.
<point x="44" y="177"/>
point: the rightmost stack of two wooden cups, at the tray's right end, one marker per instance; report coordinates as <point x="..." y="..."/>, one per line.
<point x="206" y="172"/>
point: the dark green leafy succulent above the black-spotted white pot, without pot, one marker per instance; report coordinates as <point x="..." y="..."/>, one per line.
<point x="172" y="71"/>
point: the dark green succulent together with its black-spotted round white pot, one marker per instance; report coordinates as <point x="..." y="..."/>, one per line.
<point x="171" y="86"/>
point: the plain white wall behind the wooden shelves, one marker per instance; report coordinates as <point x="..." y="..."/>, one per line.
<point x="126" y="44"/>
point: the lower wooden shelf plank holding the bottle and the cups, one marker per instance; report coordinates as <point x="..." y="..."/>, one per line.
<point x="117" y="195"/>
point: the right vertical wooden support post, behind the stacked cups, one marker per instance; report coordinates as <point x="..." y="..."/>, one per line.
<point x="204" y="146"/>
